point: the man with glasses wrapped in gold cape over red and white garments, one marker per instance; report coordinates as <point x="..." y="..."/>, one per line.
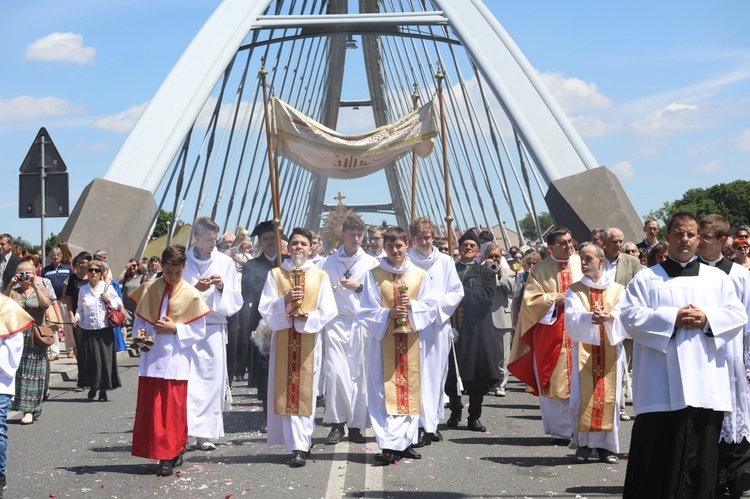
<point x="541" y="355"/>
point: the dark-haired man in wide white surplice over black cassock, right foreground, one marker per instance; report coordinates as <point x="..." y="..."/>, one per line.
<point x="681" y="315"/>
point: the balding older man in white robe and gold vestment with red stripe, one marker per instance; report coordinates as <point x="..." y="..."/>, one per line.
<point x="592" y="319"/>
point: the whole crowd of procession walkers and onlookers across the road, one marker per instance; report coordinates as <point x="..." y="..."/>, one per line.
<point x="389" y="329"/>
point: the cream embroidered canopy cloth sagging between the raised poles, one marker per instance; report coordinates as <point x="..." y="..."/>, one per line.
<point x="326" y="152"/>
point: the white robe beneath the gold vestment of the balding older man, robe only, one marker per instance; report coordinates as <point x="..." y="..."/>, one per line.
<point x="581" y="330"/>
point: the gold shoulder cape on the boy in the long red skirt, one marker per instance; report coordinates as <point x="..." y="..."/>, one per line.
<point x="185" y="304"/>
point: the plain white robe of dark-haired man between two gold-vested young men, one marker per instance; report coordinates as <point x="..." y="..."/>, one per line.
<point x="343" y="359"/>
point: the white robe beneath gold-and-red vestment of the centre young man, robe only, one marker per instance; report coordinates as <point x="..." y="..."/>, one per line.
<point x="391" y="432"/>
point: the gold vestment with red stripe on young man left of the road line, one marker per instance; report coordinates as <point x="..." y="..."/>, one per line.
<point x="295" y="361"/>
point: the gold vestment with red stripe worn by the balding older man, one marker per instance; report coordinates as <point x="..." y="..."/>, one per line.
<point x="597" y="364"/>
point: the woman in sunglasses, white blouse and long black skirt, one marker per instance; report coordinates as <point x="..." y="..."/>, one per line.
<point x="97" y="361"/>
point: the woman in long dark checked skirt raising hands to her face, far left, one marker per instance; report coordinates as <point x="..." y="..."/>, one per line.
<point x="26" y="289"/>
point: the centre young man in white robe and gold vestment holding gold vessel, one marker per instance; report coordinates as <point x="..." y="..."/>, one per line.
<point x="397" y="289"/>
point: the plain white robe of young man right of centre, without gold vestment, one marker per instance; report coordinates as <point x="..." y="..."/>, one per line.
<point x="435" y="339"/>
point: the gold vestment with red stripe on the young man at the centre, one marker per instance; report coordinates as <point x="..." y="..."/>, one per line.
<point x="401" y="352"/>
